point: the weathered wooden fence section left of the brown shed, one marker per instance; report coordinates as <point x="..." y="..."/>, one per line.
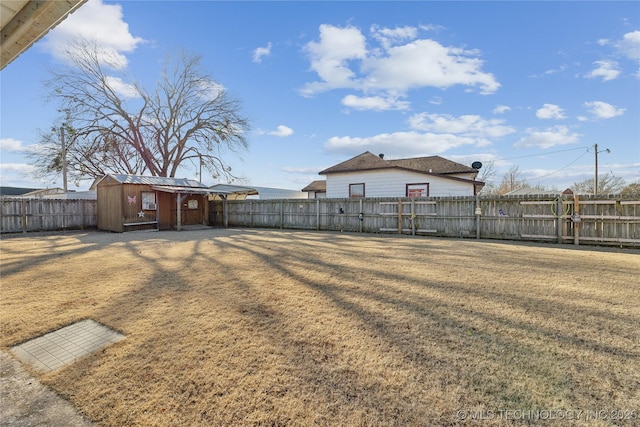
<point x="23" y="215"/>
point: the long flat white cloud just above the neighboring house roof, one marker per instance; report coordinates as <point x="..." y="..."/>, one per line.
<point x="399" y="143"/>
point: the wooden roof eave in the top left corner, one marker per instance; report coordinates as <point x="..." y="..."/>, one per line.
<point x="24" y="22"/>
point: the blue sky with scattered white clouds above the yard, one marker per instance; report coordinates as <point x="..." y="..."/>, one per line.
<point x="527" y="84"/>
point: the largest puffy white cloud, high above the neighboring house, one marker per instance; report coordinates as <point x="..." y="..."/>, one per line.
<point x="342" y="60"/>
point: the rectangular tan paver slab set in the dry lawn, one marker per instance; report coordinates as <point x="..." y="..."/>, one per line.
<point x="64" y="346"/>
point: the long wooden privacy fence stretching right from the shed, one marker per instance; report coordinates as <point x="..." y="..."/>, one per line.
<point x="563" y="219"/>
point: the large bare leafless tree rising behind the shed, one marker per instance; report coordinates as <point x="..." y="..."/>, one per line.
<point x="115" y="125"/>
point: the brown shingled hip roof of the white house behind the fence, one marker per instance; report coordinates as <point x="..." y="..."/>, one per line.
<point x="369" y="161"/>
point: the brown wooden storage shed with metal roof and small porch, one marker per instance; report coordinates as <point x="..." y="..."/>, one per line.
<point x="133" y="202"/>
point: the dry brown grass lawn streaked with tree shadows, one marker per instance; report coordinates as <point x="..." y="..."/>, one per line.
<point x="244" y="327"/>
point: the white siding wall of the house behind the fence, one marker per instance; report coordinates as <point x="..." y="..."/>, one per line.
<point x="392" y="183"/>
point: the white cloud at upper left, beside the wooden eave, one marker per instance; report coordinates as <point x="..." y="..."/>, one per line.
<point x="98" y="23"/>
